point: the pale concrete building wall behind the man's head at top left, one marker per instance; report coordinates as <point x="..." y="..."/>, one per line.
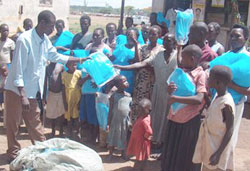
<point x="13" y="12"/>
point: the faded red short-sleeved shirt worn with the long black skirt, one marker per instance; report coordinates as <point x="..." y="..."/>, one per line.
<point x="190" y="111"/>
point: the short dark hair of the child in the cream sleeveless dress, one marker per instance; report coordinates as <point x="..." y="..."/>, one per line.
<point x="222" y="73"/>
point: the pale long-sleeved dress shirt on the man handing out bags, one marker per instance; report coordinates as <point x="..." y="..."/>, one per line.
<point x="29" y="62"/>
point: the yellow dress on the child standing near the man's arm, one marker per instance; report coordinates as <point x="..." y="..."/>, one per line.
<point x="73" y="93"/>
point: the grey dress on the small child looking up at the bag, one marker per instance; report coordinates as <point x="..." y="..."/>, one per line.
<point x="117" y="136"/>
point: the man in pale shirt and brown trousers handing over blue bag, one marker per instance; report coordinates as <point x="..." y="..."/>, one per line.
<point x="25" y="81"/>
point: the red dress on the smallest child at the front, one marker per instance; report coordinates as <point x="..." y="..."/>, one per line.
<point x="139" y="145"/>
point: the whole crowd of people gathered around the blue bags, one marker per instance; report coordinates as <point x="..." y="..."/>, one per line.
<point x="201" y="136"/>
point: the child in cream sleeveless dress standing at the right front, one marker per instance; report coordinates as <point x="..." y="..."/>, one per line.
<point x="214" y="147"/>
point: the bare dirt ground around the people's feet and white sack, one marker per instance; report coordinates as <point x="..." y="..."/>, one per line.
<point x="242" y="159"/>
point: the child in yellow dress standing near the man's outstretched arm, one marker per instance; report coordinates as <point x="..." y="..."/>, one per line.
<point x="71" y="97"/>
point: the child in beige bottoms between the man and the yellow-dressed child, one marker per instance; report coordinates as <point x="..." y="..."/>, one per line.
<point x="55" y="107"/>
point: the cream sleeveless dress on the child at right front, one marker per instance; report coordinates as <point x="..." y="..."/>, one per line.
<point x="211" y="134"/>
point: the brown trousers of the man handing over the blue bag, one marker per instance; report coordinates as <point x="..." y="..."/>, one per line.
<point x="31" y="118"/>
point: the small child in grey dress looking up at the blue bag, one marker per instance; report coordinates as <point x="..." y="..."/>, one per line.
<point x="118" y="119"/>
